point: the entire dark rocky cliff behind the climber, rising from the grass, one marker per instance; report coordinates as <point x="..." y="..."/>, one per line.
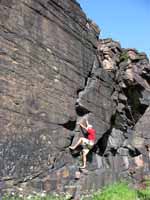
<point x="54" y="72"/>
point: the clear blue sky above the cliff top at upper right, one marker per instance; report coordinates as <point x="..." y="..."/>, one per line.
<point x="127" y="21"/>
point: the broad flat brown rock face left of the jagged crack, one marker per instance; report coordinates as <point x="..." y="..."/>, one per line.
<point x="46" y="54"/>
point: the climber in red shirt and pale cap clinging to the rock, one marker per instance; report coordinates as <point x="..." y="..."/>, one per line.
<point x="87" y="143"/>
